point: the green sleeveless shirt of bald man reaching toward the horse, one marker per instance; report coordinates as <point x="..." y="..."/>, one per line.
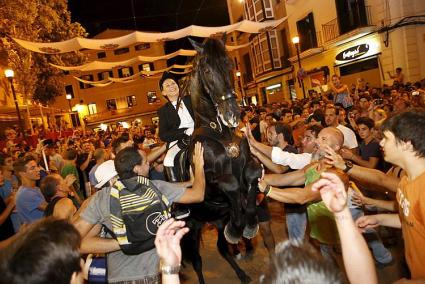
<point x="321" y="220"/>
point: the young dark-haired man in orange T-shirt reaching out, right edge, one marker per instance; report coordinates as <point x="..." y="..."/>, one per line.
<point x="404" y="146"/>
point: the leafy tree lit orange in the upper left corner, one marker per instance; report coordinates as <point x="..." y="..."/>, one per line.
<point x="42" y="21"/>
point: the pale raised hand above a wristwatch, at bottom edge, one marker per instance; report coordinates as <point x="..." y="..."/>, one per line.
<point x="167" y="241"/>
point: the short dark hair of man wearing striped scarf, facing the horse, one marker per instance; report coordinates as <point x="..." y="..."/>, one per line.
<point x="126" y="160"/>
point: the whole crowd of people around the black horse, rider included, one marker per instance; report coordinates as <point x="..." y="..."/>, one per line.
<point x="343" y="161"/>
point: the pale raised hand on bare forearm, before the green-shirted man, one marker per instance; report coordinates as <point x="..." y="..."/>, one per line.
<point x="333" y="192"/>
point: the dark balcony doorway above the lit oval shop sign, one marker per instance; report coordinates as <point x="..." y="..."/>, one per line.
<point x="351" y="14"/>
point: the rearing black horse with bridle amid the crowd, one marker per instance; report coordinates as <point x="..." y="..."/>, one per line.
<point x="230" y="171"/>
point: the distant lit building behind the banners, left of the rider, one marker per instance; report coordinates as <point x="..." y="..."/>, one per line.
<point x="117" y="102"/>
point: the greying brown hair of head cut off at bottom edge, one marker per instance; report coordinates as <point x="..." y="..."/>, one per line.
<point x="298" y="262"/>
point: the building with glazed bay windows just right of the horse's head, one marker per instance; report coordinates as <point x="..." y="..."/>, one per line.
<point x="265" y="71"/>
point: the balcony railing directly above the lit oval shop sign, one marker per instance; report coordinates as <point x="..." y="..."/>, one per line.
<point x="331" y="30"/>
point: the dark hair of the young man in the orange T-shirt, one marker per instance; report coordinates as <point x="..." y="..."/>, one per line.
<point x="408" y="126"/>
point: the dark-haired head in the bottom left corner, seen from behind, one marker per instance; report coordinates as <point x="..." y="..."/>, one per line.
<point x="47" y="252"/>
